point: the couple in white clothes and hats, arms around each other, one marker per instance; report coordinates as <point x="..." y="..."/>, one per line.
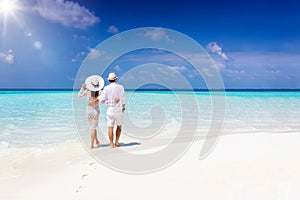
<point x="113" y="96"/>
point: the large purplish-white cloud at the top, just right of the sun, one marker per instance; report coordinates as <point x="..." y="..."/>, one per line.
<point x="67" y="13"/>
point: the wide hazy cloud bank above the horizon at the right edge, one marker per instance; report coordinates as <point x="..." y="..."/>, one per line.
<point x="262" y="66"/>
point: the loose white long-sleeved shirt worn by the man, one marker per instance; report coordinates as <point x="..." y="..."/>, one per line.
<point x="109" y="94"/>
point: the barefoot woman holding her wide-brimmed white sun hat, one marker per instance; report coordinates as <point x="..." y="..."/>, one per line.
<point x="92" y="89"/>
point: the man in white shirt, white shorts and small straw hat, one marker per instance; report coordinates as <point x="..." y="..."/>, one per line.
<point x="113" y="96"/>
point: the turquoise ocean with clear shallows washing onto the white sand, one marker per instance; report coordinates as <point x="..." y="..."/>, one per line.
<point x="41" y="128"/>
